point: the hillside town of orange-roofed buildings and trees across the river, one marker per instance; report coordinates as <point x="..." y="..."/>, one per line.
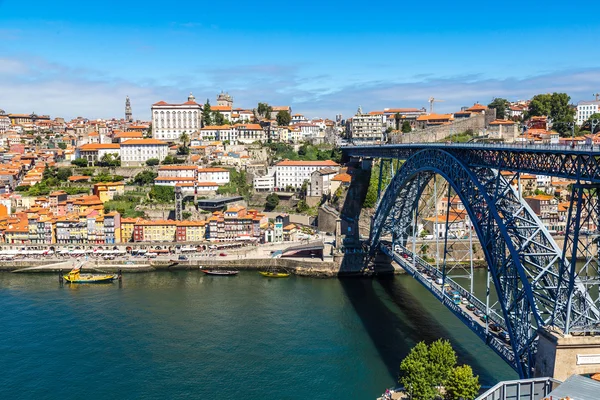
<point x="202" y="173"/>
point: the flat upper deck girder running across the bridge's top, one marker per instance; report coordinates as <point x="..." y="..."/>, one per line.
<point x="560" y="161"/>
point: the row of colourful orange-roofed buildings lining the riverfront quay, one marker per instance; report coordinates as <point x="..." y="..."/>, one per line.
<point x="85" y="222"/>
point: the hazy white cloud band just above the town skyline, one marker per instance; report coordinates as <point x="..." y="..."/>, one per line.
<point x="60" y="90"/>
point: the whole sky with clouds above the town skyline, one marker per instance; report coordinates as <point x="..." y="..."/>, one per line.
<point x="82" y="58"/>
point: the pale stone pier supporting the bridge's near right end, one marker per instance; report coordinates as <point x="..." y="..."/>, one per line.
<point x="560" y="356"/>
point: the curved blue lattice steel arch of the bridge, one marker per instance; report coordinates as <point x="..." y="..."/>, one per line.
<point x="523" y="259"/>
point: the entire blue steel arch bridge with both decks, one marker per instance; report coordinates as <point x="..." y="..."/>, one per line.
<point x="537" y="285"/>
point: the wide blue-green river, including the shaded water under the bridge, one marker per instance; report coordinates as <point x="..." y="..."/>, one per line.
<point x="176" y="335"/>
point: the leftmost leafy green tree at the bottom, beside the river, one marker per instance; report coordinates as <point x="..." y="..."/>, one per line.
<point x="414" y="371"/>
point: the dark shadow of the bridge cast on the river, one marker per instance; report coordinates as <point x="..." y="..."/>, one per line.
<point x="396" y="320"/>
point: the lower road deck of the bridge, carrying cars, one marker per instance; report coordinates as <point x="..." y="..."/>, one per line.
<point x="429" y="277"/>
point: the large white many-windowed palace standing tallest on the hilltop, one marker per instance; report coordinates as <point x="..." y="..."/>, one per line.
<point x="169" y="121"/>
